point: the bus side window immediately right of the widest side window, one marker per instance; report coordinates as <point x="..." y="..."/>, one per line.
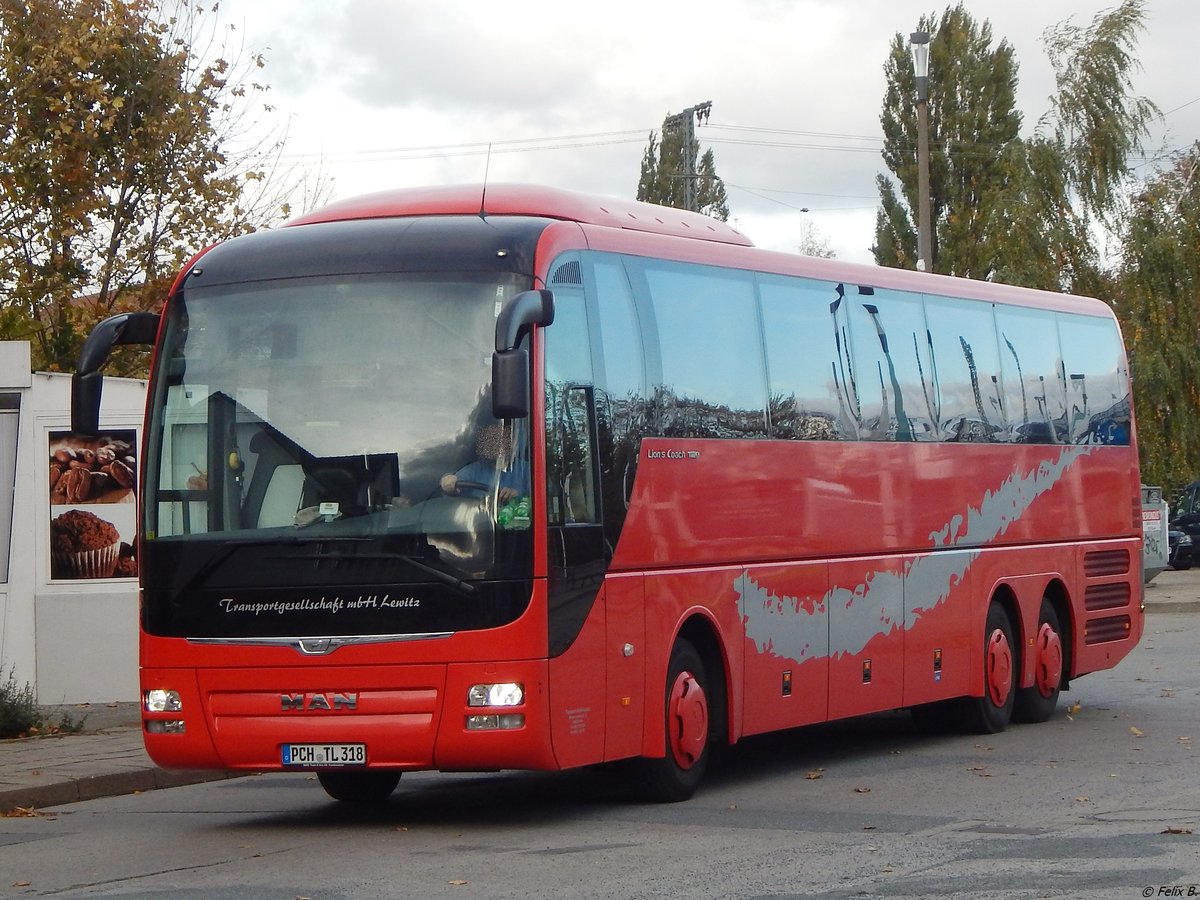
<point x="802" y="361"/>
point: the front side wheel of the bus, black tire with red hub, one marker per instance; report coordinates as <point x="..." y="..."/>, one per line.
<point x="687" y="705"/>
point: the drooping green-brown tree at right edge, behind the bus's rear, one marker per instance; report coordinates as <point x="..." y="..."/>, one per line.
<point x="1160" y="291"/>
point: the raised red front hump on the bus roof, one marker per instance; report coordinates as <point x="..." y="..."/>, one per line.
<point x="513" y="200"/>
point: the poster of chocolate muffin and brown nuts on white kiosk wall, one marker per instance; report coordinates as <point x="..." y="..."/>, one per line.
<point x="93" y="506"/>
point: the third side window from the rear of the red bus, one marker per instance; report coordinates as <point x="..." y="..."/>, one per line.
<point x="969" y="405"/>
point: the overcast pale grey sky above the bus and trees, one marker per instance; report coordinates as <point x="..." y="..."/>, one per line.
<point x="383" y="94"/>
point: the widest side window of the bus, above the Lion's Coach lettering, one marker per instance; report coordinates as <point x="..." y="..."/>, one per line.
<point x="710" y="350"/>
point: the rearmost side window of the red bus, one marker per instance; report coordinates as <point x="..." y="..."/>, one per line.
<point x="1096" y="380"/>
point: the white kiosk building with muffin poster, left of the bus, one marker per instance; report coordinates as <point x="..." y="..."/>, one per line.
<point x="69" y="591"/>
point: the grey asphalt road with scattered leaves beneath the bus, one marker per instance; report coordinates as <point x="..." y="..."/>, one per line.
<point x="1103" y="801"/>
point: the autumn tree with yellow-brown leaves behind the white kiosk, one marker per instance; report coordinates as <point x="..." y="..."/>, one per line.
<point x="116" y="160"/>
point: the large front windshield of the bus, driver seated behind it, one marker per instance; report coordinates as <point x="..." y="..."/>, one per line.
<point x="350" y="412"/>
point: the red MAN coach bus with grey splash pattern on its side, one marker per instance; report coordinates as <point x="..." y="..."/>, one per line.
<point x="473" y="479"/>
